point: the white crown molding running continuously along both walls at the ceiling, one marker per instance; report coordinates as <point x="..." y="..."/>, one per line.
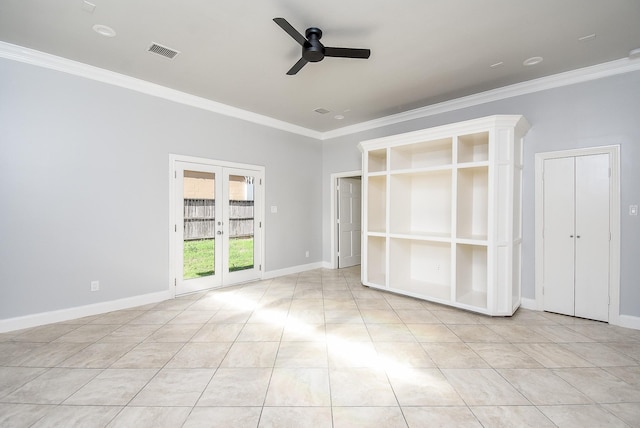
<point x="41" y="59"/>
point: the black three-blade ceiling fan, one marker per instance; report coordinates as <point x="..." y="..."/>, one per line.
<point x="313" y="50"/>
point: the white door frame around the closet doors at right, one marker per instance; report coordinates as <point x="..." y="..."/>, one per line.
<point x="614" y="218"/>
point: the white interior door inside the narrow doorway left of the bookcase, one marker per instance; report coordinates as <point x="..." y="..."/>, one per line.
<point x="349" y="221"/>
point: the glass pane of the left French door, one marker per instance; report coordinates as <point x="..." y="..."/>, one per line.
<point x="199" y="224"/>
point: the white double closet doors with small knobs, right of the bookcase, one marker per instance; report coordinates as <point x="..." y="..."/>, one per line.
<point x="577" y="236"/>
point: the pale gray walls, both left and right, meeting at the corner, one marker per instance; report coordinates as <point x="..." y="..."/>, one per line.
<point x="84" y="164"/>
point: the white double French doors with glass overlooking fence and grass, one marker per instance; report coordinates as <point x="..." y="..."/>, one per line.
<point x="217" y="224"/>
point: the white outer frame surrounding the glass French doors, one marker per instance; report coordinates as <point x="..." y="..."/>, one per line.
<point x="259" y="192"/>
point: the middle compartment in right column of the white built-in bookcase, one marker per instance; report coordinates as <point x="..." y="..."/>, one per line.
<point x="472" y="203"/>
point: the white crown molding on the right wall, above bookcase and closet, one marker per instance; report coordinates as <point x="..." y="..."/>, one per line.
<point x="580" y="75"/>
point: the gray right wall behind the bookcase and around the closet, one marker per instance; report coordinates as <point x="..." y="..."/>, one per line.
<point x="596" y="113"/>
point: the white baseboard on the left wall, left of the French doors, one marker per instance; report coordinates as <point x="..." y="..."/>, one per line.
<point x="34" y="320"/>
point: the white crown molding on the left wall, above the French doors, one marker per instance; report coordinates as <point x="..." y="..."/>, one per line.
<point x="42" y="59"/>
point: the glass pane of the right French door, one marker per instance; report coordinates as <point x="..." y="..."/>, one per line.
<point x="241" y="222"/>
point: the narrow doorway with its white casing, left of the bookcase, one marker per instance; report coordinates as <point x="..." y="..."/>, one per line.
<point x="346" y="221"/>
